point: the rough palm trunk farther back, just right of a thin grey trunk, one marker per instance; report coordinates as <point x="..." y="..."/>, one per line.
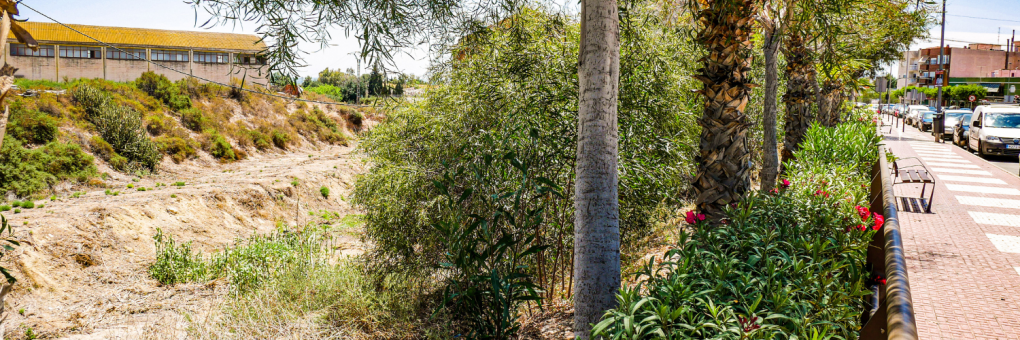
<point x="800" y="95"/>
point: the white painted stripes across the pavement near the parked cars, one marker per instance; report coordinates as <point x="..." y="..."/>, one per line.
<point x="965" y="179"/>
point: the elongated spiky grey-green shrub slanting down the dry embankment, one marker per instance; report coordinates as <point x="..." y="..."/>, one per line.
<point x="120" y="127"/>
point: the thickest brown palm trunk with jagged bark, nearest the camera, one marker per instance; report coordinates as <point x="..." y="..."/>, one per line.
<point x="725" y="161"/>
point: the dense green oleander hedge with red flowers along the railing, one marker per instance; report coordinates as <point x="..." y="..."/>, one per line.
<point x="788" y="264"/>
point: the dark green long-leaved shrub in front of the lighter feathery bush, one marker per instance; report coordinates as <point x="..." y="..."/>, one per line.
<point x="488" y="252"/>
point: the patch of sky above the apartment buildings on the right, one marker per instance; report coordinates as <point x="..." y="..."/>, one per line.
<point x="990" y="22"/>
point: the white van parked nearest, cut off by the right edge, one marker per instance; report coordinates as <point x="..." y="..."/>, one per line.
<point x="995" y="130"/>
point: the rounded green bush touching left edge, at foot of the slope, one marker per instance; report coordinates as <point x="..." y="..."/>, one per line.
<point x="26" y="172"/>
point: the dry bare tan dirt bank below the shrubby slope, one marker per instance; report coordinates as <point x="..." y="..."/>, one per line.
<point x="84" y="275"/>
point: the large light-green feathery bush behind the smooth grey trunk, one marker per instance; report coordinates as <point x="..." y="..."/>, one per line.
<point x="516" y="88"/>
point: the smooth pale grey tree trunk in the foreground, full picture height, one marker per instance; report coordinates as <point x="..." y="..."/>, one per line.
<point x="597" y="223"/>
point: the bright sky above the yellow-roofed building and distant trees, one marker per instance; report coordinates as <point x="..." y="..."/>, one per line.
<point x="177" y="15"/>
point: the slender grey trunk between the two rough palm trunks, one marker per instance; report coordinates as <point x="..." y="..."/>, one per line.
<point x="771" y="157"/>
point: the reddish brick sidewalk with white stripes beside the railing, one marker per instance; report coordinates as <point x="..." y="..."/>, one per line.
<point x="963" y="260"/>
